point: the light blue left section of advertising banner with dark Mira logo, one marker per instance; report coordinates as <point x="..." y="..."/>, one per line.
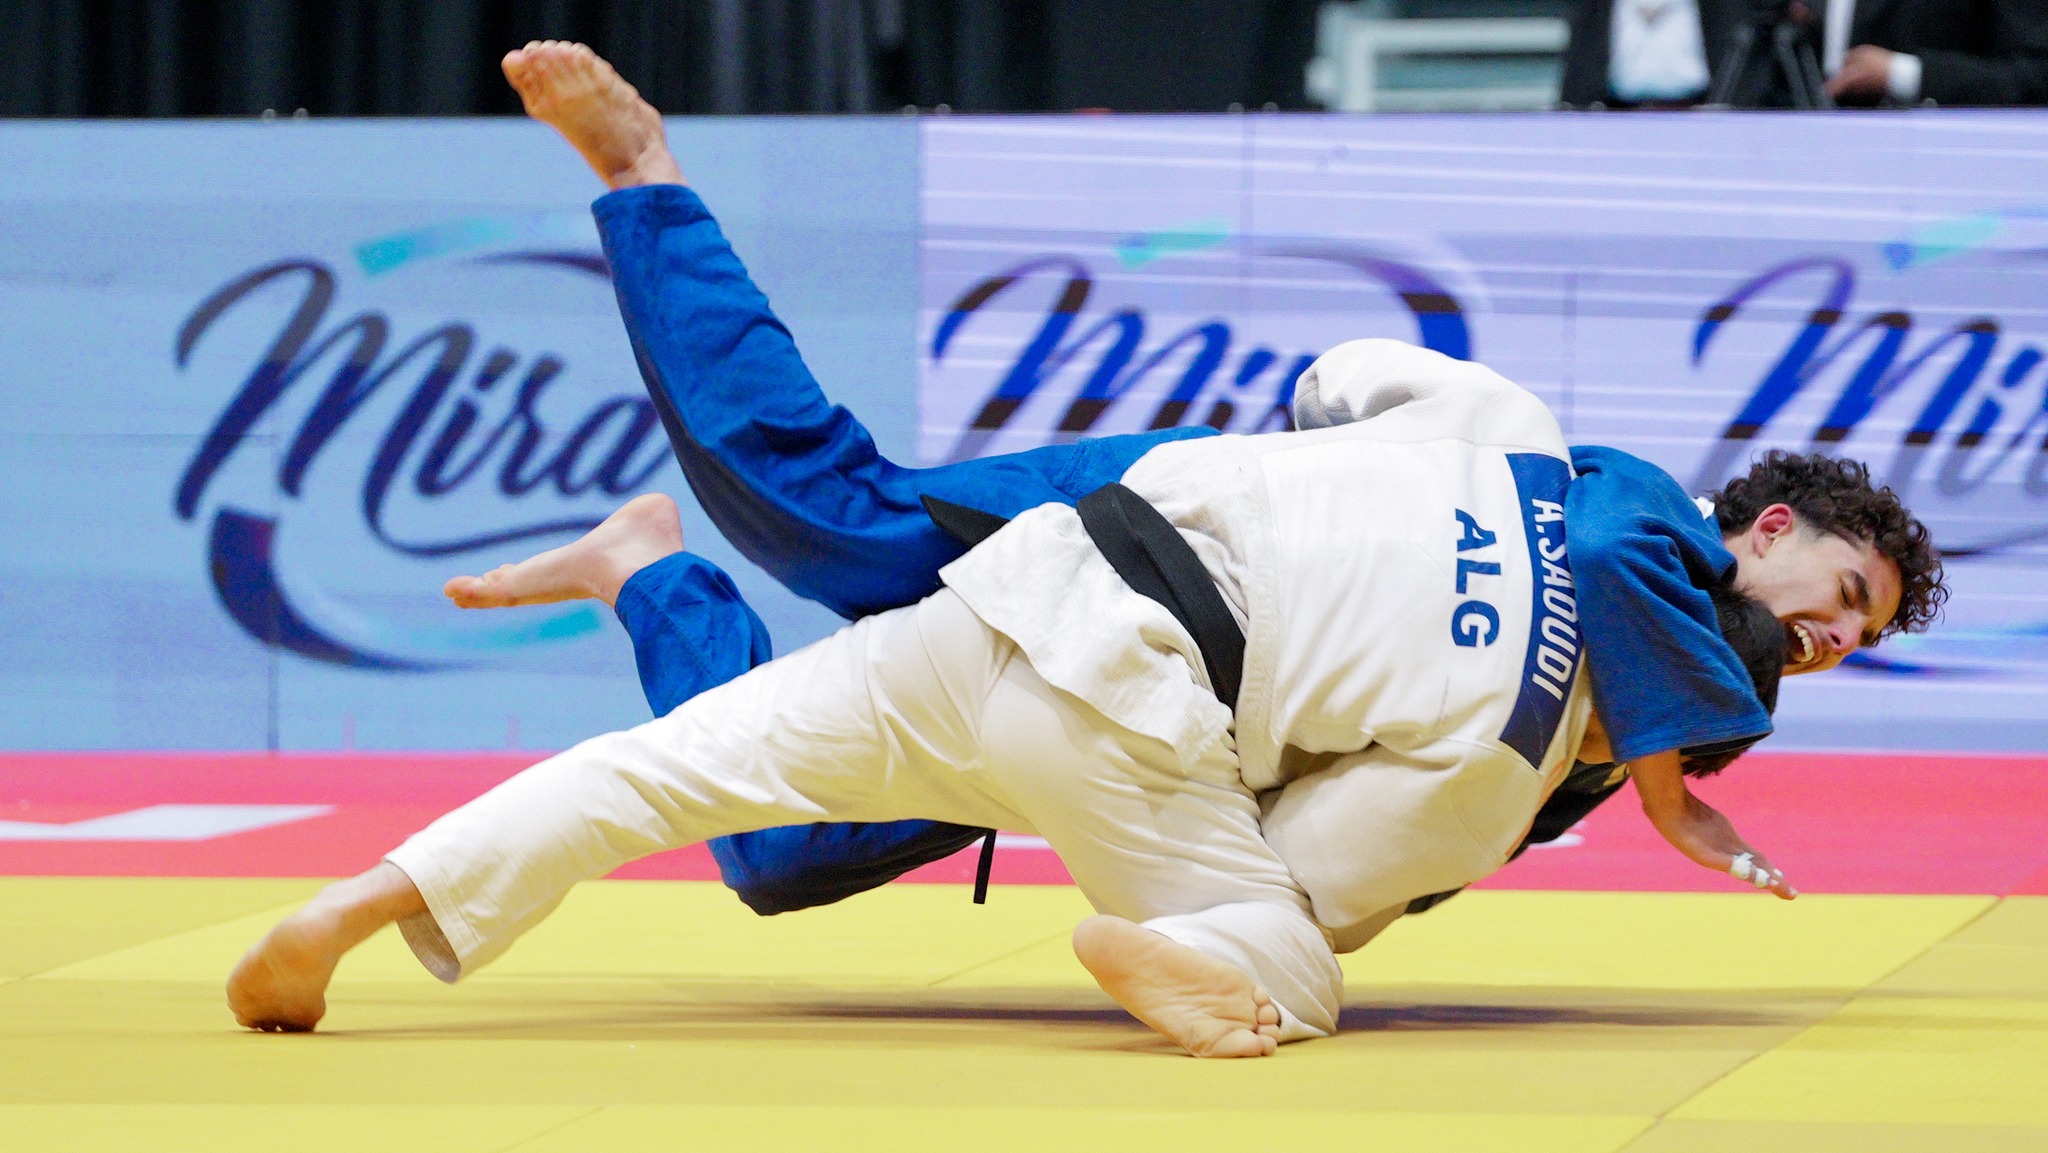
<point x="267" y="386"/>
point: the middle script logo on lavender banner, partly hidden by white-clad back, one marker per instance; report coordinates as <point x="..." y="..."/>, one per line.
<point x="1048" y="359"/>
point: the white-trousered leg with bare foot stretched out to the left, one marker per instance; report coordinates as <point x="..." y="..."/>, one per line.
<point x="869" y="724"/>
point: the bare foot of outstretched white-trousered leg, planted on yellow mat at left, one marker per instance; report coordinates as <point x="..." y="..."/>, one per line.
<point x="282" y="986"/>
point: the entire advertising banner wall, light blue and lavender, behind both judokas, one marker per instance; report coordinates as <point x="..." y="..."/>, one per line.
<point x="265" y="386"/>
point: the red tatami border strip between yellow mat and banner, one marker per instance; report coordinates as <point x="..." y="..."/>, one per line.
<point x="1834" y="822"/>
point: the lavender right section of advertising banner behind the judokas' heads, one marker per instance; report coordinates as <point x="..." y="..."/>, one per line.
<point x="1689" y="288"/>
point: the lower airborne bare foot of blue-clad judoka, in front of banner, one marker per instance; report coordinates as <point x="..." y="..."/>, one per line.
<point x="591" y="568"/>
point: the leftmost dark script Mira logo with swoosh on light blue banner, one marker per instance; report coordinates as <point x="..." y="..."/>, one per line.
<point x="454" y="441"/>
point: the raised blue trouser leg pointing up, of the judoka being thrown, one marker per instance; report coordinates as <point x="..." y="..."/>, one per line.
<point x="790" y="478"/>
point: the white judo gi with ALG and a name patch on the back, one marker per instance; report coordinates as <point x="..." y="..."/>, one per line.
<point x="1410" y="697"/>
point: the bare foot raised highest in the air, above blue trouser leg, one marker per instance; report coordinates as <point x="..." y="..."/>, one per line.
<point x="572" y="89"/>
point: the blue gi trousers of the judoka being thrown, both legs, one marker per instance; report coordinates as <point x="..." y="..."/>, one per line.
<point x="800" y="488"/>
